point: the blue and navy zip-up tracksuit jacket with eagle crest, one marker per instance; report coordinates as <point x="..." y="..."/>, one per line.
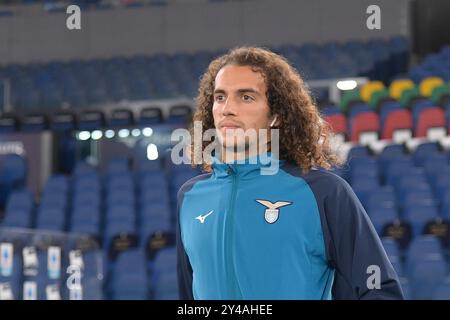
<point x="243" y="235"/>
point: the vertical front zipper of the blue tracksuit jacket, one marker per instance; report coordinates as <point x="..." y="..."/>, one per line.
<point x="236" y="292"/>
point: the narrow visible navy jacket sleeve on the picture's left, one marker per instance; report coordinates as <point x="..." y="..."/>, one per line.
<point x="184" y="269"/>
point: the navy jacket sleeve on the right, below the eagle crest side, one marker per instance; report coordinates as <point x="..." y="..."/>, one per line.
<point x="353" y="246"/>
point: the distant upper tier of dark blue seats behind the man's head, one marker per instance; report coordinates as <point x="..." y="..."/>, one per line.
<point x="87" y="83"/>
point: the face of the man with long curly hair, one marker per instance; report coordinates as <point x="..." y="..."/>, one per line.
<point x="239" y="102"/>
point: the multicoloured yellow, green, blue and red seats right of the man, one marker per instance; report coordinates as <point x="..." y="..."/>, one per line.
<point x="399" y="113"/>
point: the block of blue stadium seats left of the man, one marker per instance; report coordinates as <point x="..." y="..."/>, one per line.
<point x="124" y="212"/>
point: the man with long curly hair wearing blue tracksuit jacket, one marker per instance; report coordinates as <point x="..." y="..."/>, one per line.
<point x="299" y="233"/>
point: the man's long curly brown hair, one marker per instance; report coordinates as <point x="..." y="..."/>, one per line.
<point x="304" y="135"/>
